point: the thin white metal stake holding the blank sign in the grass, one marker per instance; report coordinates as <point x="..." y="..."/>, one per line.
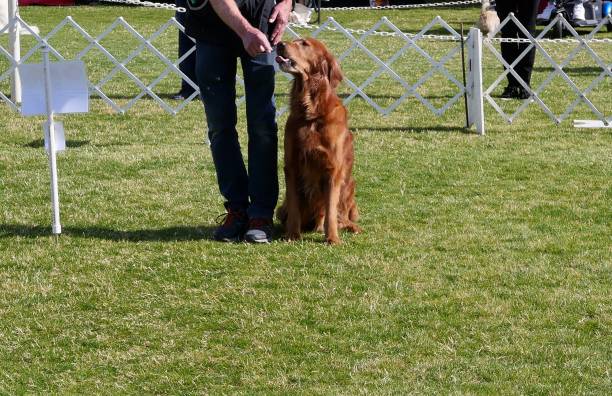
<point x="56" y="226"/>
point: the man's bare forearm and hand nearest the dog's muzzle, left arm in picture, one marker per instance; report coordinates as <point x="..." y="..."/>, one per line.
<point x="254" y="41"/>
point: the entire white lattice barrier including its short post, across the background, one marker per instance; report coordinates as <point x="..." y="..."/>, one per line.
<point x="410" y="54"/>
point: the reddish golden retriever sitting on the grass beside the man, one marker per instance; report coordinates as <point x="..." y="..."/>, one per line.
<point x="320" y="188"/>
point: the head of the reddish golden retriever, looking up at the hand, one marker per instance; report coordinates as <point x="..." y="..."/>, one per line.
<point x="308" y="57"/>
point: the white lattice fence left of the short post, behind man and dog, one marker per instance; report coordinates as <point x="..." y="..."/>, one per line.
<point x="408" y="53"/>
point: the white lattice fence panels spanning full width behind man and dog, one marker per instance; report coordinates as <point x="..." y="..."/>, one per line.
<point x="384" y="66"/>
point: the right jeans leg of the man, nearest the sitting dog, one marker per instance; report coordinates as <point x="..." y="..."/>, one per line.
<point x="262" y="131"/>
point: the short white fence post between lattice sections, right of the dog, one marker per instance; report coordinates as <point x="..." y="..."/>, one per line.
<point x="474" y="83"/>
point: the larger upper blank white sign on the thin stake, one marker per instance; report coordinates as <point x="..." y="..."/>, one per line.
<point x="69" y="88"/>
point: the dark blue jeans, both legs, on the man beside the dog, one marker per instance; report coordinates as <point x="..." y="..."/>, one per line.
<point x="255" y="190"/>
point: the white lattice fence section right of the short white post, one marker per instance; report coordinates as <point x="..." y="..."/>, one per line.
<point x="559" y="63"/>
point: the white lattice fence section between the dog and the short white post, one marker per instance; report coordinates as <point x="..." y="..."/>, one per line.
<point x="405" y="64"/>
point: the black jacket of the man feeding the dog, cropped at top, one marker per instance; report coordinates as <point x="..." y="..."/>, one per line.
<point x="205" y="25"/>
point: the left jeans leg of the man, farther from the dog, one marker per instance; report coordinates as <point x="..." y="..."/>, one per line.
<point x="216" y="74"/>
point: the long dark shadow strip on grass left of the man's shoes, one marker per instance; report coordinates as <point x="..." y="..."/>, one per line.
<point x="169" y="234"/>
